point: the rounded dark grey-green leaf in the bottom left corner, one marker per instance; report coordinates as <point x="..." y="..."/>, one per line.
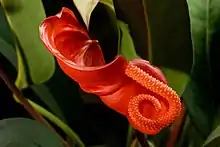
<point x="21" y="132"/>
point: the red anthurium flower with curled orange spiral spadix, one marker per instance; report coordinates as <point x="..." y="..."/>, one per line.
<point x="135" y="88"/>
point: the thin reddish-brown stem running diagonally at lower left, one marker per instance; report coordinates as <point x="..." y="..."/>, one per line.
<point x="25" y="103"/>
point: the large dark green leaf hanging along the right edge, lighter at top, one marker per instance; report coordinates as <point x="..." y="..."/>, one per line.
<point x="201" y="95"/>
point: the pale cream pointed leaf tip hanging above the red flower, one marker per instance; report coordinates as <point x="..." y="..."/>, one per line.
<point x="85" y="8"/>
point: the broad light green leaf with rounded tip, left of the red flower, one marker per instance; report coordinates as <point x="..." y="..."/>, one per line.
<point x="24" y="17"/>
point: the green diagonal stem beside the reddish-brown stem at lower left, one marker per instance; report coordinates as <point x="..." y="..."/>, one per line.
<point x="57" y="122"/>
